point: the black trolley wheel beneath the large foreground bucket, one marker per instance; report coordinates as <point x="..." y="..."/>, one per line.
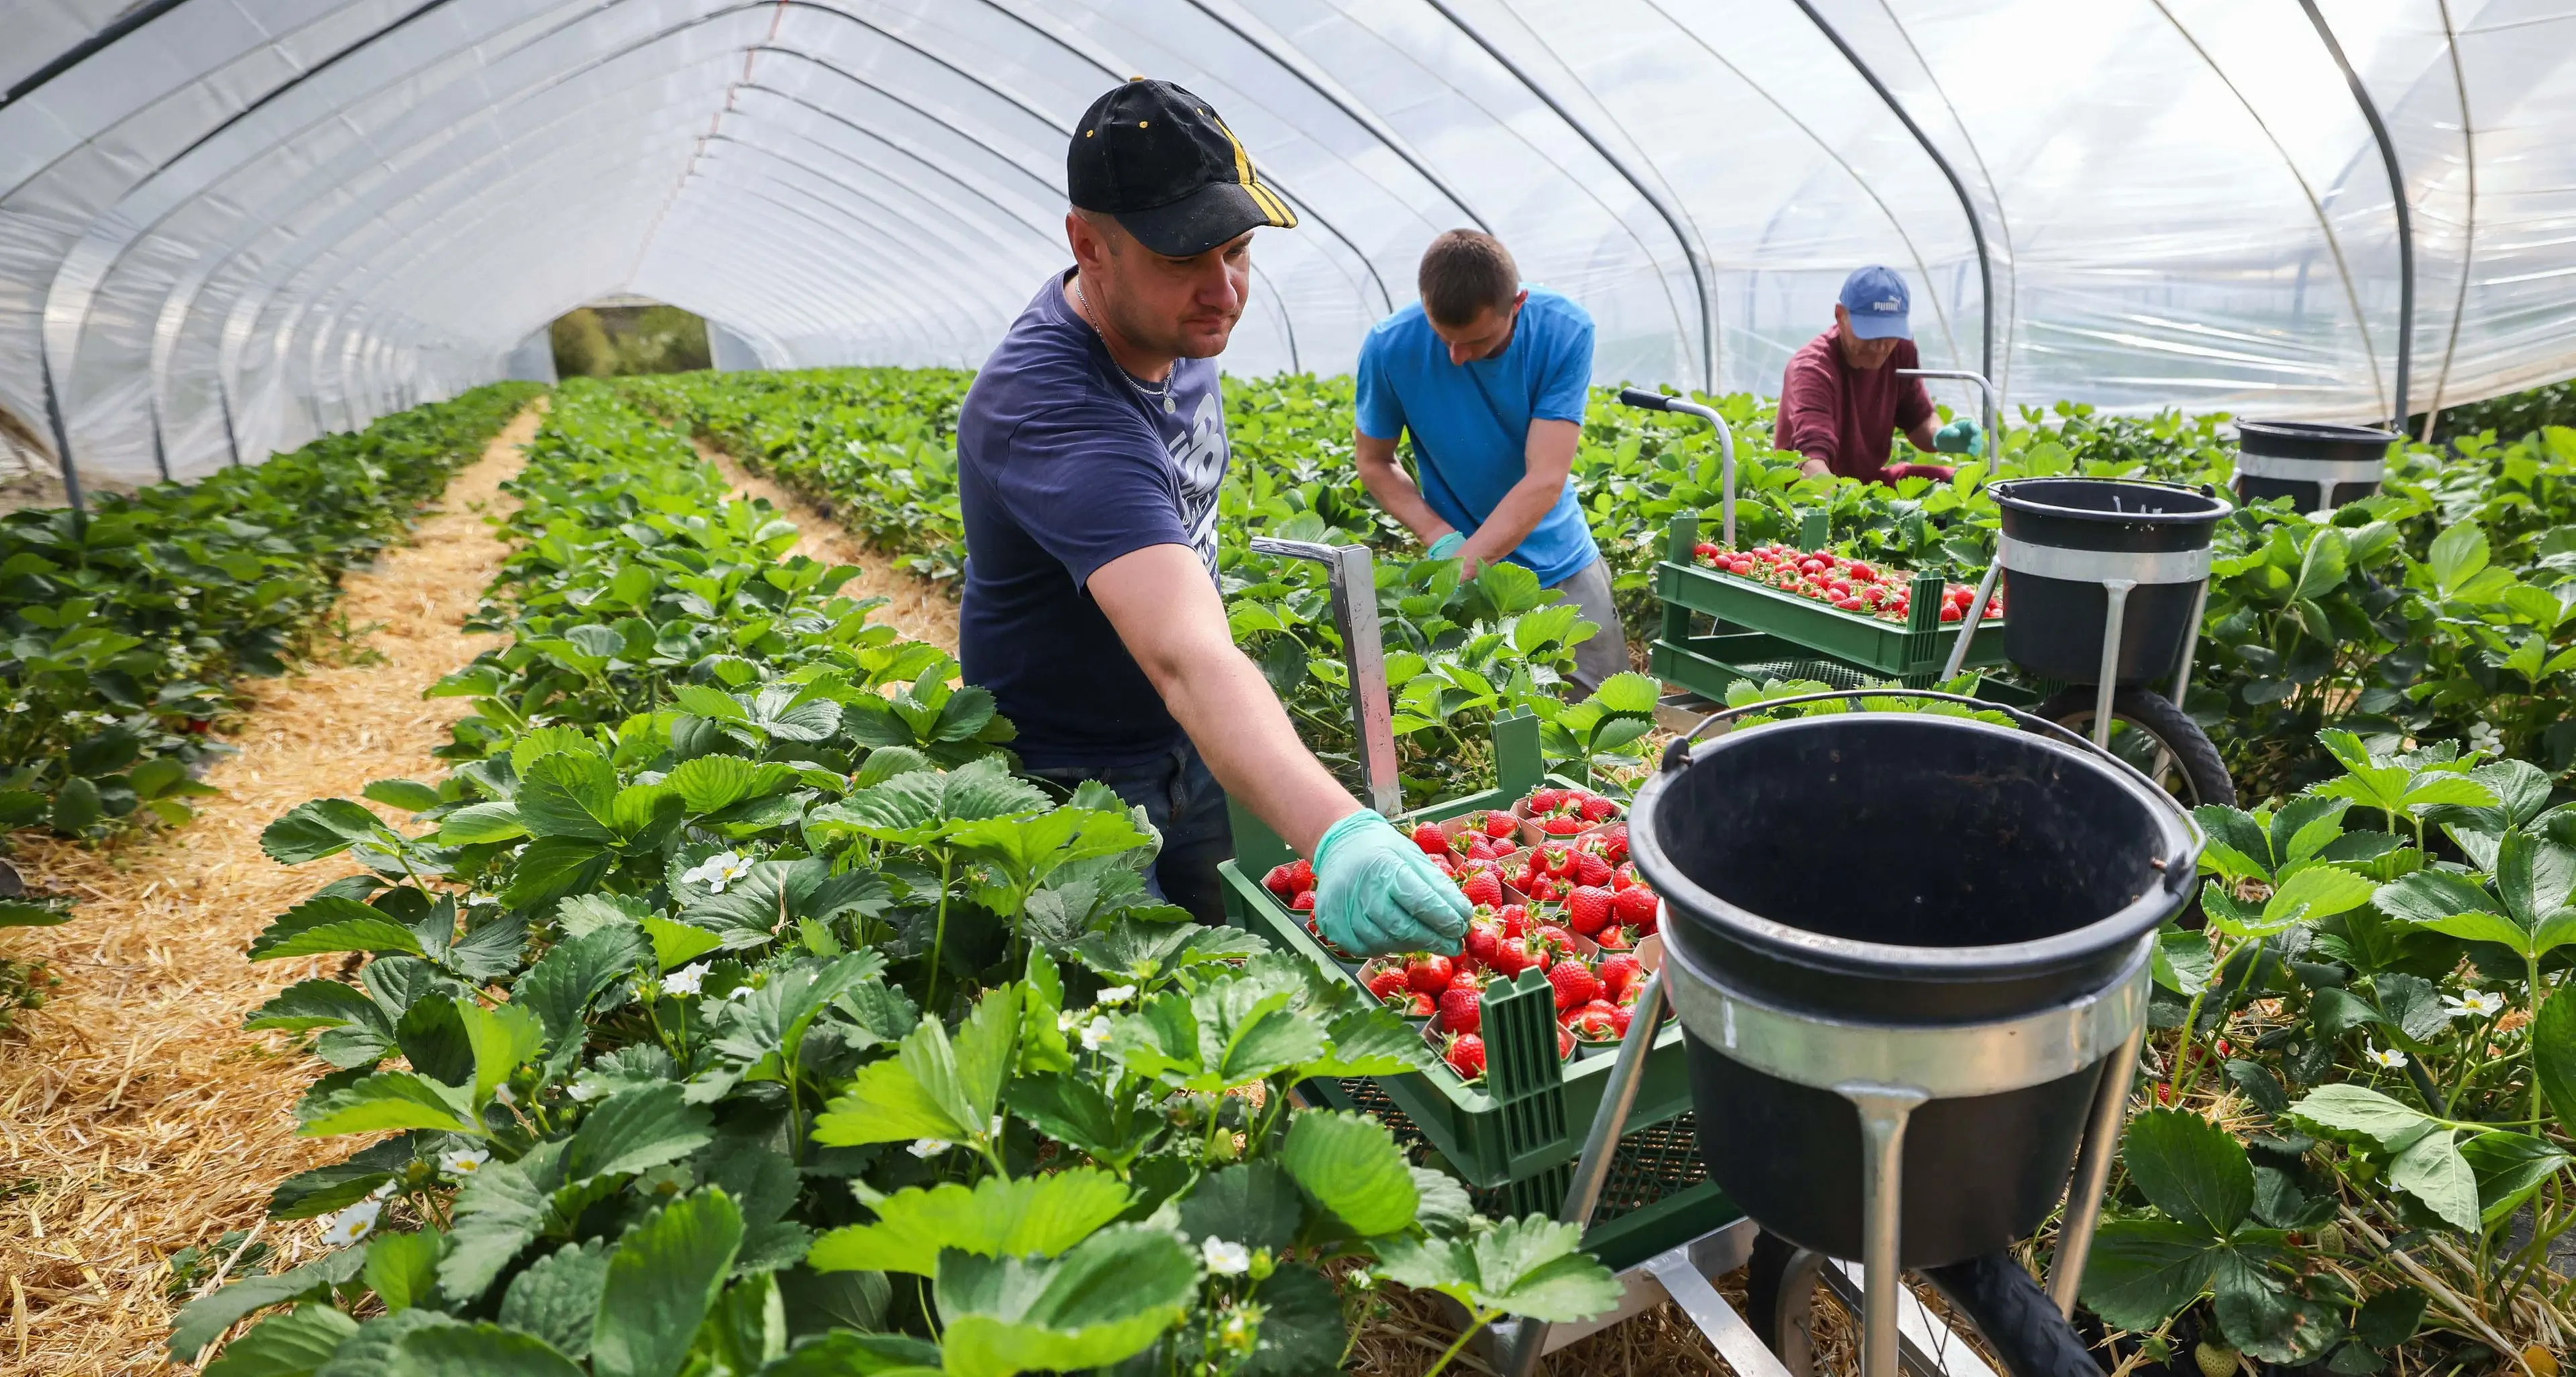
<point x="2008" y="1309"/>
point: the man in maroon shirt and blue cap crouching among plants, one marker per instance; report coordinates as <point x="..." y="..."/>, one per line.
<point x="1843" y="403"/>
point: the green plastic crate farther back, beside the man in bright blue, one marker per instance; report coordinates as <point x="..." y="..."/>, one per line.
<point x="1802" y="627"/>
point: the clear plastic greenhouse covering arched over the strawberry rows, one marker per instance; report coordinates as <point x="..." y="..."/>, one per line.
<point x="228" y="225"/>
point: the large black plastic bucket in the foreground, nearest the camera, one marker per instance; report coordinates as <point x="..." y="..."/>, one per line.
<point x="1902" y="871"/>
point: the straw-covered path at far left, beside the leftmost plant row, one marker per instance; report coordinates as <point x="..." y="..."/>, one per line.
<point x="135" y="1113"/>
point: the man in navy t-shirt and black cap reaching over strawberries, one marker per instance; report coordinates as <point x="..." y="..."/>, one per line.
<point x="1091" y="452"/>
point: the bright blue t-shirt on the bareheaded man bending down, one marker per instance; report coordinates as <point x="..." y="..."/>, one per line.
<point x="1472" y="421"/>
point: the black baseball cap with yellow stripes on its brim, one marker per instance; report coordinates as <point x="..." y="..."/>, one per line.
<point x="1168" y="171"/>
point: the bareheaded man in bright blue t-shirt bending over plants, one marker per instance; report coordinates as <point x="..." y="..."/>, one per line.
<point x="1490" y="380"/>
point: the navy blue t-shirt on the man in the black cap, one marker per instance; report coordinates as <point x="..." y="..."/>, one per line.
<point x="1065" y="465"/>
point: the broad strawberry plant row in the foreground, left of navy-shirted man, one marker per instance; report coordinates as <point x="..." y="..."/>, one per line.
<point x="756" y="1018"/>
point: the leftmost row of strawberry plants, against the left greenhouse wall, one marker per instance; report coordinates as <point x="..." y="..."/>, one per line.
<point x="125" y="627"/>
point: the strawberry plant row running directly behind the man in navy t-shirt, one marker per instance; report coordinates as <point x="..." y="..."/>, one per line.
<point x="875" y="449"/>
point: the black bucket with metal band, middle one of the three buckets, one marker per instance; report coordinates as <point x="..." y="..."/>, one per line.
<point x="2054" y="627"/>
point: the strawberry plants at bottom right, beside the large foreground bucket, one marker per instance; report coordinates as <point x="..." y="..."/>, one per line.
<point x="2366" y="1082"/>
